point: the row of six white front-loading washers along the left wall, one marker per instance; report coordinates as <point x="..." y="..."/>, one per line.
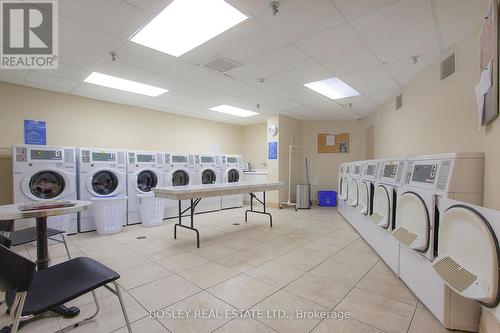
<point x="47" y="173"/>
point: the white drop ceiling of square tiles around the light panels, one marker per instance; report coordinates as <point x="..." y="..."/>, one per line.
<point x="366" y="43"/>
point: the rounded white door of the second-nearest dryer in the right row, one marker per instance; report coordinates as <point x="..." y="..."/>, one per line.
<point x="412" y="222"/>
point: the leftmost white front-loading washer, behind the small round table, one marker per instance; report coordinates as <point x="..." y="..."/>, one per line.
<point x="45" y="173"/>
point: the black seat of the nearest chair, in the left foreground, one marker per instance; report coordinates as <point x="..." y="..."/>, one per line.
<point x="64" y="282"/>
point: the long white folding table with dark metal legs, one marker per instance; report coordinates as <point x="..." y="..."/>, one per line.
<point x="195" y="193"/>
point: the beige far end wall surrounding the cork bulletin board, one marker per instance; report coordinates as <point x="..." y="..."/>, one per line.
<point x="323" y="168"/>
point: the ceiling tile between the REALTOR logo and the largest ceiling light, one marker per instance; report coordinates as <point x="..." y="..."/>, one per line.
<point x="86" y="38"/>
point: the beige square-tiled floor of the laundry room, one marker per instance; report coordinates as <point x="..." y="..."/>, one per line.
<point x="310" y="260"/>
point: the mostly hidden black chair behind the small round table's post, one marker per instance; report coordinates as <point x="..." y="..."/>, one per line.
<point x="28" y="235"/>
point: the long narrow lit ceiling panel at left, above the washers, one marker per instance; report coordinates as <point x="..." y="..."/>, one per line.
<point x="123" y="84"/>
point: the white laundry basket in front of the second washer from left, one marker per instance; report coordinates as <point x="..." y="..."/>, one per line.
<point x="110" y="214"/>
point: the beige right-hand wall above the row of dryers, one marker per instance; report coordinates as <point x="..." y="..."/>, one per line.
<point x="440" y="116"/>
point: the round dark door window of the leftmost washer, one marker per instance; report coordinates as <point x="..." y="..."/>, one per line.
<point x="46" y="184"/>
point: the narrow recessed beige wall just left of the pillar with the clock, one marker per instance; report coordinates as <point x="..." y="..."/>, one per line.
<point x="255" y="145"/>
